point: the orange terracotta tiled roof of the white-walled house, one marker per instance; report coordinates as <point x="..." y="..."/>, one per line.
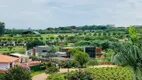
<point x="7" y="59"/>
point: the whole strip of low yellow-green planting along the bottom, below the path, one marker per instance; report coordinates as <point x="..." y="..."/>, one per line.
<point x="107" y="73"/>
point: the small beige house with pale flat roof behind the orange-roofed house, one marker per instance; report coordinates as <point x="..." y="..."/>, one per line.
<point x="22" y="58"/>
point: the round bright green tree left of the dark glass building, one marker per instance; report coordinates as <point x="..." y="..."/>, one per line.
<point x="82" y="58"/>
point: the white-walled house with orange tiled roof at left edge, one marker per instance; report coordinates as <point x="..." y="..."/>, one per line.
<point x="7" y="62"/>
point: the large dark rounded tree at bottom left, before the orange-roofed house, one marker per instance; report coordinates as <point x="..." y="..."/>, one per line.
<point x="17" y="73"/>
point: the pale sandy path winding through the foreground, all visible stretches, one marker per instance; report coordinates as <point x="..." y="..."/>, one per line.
<point x="44" y="76"/>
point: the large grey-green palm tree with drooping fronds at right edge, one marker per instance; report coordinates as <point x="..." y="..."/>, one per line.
<point x="130" y="55"/>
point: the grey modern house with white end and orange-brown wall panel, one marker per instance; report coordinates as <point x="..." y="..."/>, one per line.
<point x="39" y="50"/>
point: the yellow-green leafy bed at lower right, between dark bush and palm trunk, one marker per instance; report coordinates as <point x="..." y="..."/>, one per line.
<point x="115" y="73"/>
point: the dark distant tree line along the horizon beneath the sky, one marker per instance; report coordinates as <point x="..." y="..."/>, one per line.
<point x="71" y="29"/>
